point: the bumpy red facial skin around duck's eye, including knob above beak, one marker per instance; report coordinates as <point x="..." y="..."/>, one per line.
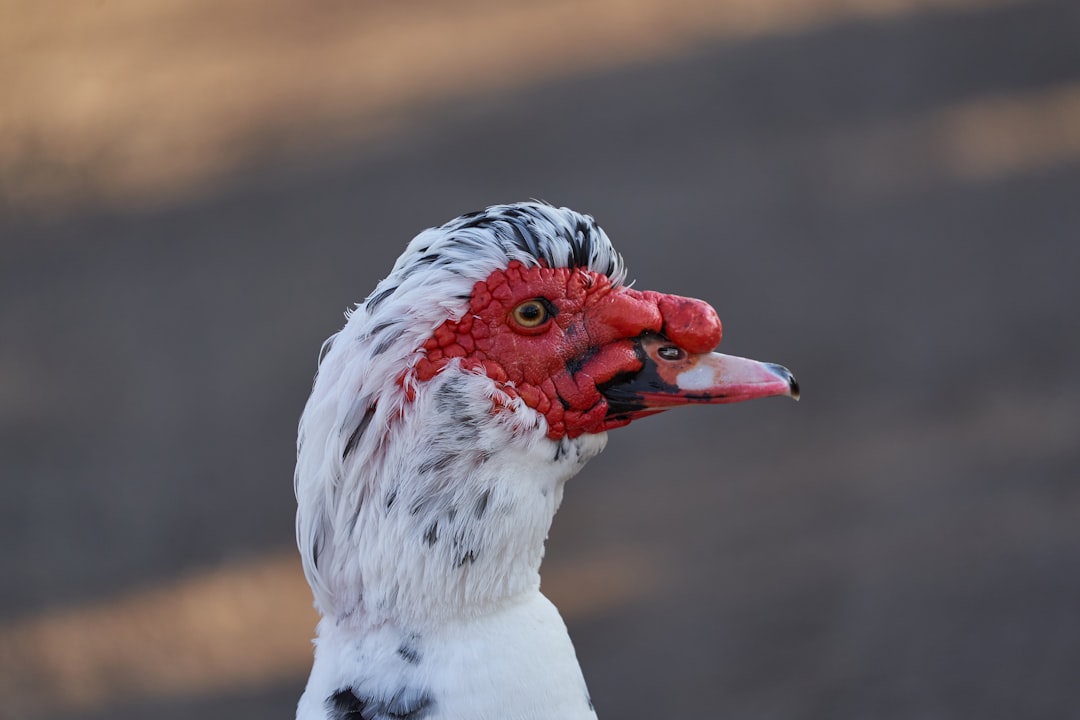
<point x="556" y="369"/>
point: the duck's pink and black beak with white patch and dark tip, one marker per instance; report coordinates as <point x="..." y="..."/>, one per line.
<point x="671" y="377"/>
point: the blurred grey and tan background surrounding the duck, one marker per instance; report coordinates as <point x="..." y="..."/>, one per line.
<point x="882" y="195"/>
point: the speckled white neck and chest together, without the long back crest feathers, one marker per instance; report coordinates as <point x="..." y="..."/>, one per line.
<point x="434" y="568"/>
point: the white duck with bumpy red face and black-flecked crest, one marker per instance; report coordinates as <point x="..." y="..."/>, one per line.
<point x="444" y="422"/>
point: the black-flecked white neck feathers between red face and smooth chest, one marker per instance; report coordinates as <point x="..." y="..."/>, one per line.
<point x="447" y="514"/>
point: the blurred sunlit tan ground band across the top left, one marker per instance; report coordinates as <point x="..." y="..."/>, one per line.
<point x="128" y="103"/>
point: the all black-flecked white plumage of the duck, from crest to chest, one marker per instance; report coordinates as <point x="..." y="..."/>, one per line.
<point x="422" y="514"/>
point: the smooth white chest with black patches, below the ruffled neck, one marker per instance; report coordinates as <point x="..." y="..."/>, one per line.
<point x="515" y="663"/>
